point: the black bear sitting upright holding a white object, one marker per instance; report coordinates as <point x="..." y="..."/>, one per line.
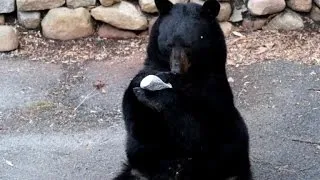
<point x="193" y="130"/>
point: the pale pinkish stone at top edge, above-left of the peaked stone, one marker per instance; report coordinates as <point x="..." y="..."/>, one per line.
<point x="264" y="7"/>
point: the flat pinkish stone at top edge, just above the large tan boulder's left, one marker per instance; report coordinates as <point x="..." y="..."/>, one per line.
<point x="35" y="5"/>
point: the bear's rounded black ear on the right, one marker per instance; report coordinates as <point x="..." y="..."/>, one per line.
<point x="210" y="9"/>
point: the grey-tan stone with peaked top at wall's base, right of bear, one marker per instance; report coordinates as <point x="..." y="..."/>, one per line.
<point x="287" y="20"/>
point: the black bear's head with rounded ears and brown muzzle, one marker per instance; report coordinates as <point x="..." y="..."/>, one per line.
<point x="187" y="38"/>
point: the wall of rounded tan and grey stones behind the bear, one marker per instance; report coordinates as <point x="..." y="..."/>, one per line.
<point x="72" y="19"/>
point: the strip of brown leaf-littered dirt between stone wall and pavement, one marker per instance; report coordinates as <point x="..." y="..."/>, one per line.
<point x="244" y="47"/>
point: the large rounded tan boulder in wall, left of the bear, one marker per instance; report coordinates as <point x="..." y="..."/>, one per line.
<point x="65" y="24"/>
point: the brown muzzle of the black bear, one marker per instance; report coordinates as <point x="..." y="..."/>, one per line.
<point x="179" y="62"/>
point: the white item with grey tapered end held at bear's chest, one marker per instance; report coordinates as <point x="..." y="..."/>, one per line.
<point x="154" y="83"/>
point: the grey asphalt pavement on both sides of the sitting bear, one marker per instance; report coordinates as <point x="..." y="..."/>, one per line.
<point x="55" y="124"/>
